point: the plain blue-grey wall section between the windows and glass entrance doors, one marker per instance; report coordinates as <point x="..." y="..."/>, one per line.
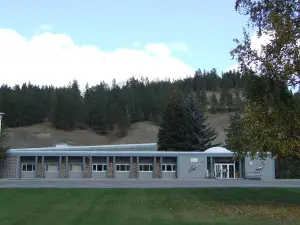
<point x="185" y="165"/>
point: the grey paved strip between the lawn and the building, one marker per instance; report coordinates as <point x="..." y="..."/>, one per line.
<point x="90" y="183"/>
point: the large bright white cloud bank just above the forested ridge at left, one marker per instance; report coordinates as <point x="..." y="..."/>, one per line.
<point x="55" y="59"/>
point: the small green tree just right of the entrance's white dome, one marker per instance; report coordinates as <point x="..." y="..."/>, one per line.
<point x="235" y="133"/>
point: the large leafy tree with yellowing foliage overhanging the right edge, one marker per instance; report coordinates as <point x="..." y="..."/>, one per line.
<point x="271" y="118"/>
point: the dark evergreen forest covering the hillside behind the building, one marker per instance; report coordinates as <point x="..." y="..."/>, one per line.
<point x="111" y="110"/>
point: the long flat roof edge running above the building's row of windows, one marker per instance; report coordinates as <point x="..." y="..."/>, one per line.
<point x="116" y="153"/>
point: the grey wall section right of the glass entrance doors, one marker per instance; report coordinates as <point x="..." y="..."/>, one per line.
<point x="268" y="172"/>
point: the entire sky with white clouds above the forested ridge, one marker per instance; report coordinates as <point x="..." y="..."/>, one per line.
<point x="55" y="42"/>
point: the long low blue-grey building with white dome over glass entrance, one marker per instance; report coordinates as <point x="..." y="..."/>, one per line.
<point x="138" y="161"/>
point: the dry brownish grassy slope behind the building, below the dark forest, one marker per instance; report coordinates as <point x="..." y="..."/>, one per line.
<point x="43" y="135"/>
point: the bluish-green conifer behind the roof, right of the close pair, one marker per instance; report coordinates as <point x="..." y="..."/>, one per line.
<point x="200" y="132"/>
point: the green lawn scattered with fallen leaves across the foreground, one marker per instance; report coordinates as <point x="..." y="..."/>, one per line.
<point x="149" y="206"/>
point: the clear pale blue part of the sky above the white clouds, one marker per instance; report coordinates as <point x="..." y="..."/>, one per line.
<point x="207" y="28"/>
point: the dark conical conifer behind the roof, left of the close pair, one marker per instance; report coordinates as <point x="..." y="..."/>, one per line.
<point x="173" y="132"/>
